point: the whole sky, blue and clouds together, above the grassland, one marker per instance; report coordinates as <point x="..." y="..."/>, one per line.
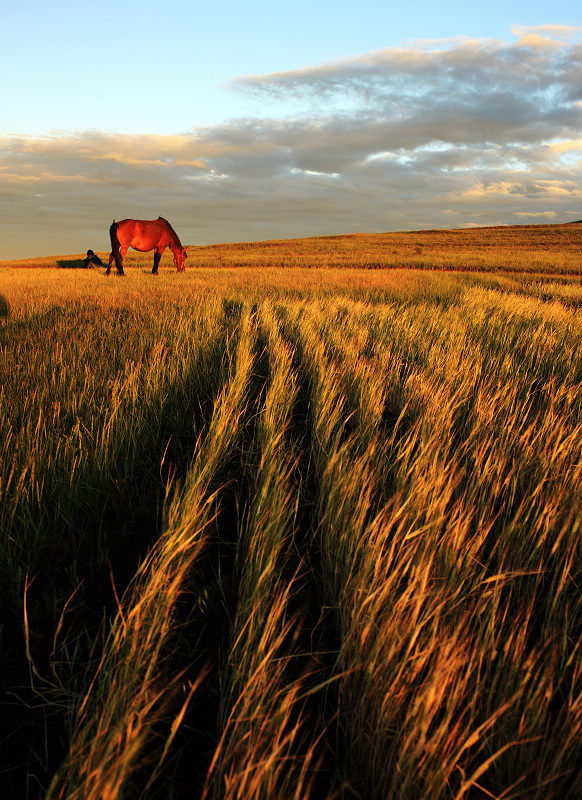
<point x="245" y="121"/>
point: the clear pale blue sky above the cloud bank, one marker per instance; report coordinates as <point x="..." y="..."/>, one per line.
<point x="122" y="67"/>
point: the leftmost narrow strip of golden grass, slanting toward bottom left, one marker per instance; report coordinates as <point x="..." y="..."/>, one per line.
<point x="126" y="700"/>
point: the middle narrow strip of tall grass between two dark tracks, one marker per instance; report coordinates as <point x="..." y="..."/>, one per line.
<point x="265" y="749"/>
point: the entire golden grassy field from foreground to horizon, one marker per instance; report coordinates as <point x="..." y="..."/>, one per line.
<point x="301" y="522"/>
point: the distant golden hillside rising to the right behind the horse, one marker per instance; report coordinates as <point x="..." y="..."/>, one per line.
<point x="538" y="248"/>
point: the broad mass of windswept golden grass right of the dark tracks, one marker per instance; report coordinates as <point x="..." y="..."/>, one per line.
<point x="446" y="589"/>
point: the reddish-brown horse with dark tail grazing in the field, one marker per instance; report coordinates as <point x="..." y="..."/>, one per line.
<point x="144" y="235"/>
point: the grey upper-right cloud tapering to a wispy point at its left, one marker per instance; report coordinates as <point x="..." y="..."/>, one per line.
<point x="515" y="91"/>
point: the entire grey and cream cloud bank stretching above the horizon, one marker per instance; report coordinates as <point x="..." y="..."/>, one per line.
<point x="449" y="133"/>
